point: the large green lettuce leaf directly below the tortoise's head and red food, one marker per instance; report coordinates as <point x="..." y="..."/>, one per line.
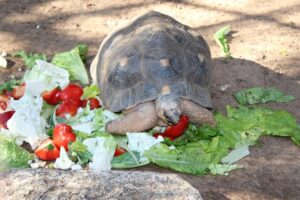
<point x="193" y="158"/>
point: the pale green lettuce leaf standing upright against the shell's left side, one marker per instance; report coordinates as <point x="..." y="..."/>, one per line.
<point x="72" y="61"/>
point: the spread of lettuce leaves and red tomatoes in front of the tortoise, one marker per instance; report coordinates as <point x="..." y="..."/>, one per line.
<point x="52" y="118"/>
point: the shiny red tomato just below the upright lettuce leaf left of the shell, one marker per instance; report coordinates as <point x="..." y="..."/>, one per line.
<point x="71" y="92"/>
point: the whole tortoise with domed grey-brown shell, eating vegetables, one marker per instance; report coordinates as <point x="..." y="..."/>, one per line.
<point x="154" y="70"/>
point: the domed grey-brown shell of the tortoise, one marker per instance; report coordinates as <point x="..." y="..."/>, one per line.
<point x="137" y="61"/>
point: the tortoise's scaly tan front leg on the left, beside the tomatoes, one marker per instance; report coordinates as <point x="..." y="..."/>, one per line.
<point x="142" y="118"/>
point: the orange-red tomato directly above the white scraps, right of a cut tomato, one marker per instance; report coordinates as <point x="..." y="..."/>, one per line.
<point x="63" y="135"/>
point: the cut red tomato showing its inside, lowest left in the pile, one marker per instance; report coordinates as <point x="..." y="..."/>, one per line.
<point x="47" y="151"/>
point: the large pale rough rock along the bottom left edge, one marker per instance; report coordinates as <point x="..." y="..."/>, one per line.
<point x="54" y="184"/>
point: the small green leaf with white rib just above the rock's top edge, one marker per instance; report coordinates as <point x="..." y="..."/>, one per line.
<point x="128" y="160"/>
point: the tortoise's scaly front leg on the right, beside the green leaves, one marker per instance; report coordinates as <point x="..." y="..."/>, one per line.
<point x="197" y="114"/>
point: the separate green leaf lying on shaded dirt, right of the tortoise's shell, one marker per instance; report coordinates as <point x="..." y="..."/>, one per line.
<point x="261" y="95"/>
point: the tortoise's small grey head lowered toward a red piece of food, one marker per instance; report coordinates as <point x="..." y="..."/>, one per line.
<point x="168" y="108"/>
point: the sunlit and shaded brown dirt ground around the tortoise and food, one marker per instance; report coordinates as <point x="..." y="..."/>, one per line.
<point x="265" y="46"/>
